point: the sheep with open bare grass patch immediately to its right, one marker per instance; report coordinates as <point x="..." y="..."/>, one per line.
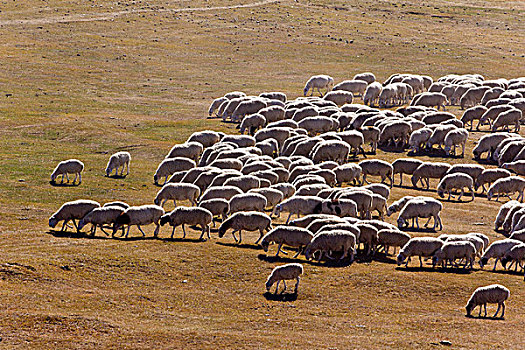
<point x="420" y="208"/>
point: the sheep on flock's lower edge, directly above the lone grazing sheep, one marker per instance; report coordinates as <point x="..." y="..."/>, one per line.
<point x="289" y="236"/>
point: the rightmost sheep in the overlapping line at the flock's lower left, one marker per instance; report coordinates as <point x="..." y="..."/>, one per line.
<point x="188" y="216"/>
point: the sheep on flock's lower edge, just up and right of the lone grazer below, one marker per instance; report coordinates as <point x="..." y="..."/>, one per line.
<point x="330" y="241"/>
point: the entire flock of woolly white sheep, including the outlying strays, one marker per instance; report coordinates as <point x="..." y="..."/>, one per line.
<point x="293" y="156"/>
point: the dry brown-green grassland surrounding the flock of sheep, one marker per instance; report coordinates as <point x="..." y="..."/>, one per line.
<point x="86" y="78"/>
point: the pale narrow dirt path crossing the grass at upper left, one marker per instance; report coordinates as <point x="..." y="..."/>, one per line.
<point x="106" y="16"/>
